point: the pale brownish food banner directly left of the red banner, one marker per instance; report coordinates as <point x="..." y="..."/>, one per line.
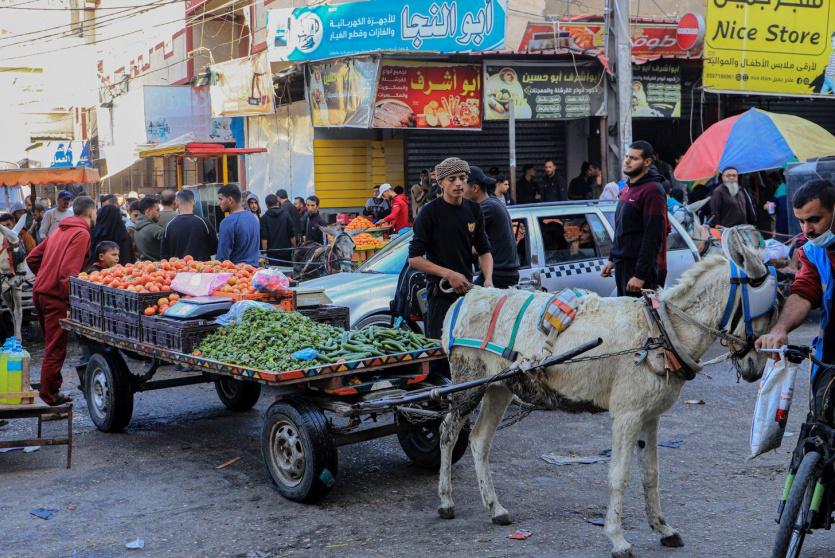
<point x="341" y="92"/>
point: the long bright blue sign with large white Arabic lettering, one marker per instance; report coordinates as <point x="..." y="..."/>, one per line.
<point x="316" y="33"/>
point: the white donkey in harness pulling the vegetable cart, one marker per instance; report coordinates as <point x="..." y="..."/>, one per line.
<point x="635" y="394"/>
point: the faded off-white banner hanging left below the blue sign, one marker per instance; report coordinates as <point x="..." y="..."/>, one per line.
<point x="242" y="87"/>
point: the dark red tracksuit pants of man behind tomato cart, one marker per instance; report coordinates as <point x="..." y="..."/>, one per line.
<point x="50" y="311"/>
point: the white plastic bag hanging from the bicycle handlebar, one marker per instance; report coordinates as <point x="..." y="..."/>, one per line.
<point x="771" y="411"/>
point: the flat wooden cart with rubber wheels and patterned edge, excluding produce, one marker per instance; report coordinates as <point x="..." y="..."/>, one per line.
<point x="313" y="414"/>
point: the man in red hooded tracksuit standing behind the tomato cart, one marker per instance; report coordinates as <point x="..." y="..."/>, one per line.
<point x="54" y="261"/>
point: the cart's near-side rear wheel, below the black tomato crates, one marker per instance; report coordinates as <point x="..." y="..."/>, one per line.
<point x="107" y="389"/>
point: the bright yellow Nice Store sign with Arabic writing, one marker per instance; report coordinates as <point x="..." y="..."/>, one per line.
<point x="781" y="47"/>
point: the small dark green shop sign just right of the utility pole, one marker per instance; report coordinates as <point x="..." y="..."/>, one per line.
<point x="656" y="90"/>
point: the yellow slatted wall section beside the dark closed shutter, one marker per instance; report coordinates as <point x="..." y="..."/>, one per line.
<point x="345" y="171"/>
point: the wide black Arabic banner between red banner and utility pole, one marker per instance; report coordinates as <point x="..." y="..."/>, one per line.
<point x="543" y="91"/>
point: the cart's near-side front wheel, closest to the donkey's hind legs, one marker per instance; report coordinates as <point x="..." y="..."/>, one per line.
<point x="298" y="450"/>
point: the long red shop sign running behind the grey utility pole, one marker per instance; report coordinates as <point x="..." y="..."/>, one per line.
<point x="649" y="40"/>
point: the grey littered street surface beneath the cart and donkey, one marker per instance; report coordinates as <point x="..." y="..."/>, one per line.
<point x="158" y="482"/>
